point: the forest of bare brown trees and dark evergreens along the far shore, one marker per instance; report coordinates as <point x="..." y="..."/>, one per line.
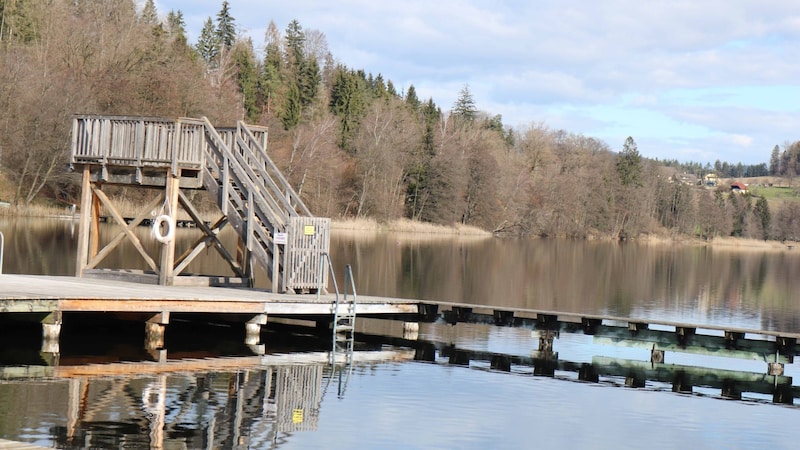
<point x="350" y="142"/>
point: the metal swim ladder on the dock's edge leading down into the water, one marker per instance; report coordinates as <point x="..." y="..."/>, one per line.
<point x="344" y="321"/>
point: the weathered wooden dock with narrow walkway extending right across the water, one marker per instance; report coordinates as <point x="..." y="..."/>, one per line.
<point x="52" y="299"/>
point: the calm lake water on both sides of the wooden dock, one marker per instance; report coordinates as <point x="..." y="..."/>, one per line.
<point x="438" y="391"/>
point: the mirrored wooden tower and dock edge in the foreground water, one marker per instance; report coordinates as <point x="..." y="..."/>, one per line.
<point x="228" y="402"/>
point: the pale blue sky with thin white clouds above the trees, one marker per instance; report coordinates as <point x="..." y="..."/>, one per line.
<point x="692" y="80"/>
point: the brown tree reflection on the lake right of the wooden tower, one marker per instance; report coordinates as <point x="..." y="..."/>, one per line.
<point x="576" y="276"/>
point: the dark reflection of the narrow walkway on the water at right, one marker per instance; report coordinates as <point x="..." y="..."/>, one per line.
<point x="654" y="374"/>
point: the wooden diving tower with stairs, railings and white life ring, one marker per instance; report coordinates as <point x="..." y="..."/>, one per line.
<point x="173" y="158"/>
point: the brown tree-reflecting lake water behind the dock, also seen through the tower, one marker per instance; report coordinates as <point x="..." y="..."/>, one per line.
<point x="684" y="283"/>
